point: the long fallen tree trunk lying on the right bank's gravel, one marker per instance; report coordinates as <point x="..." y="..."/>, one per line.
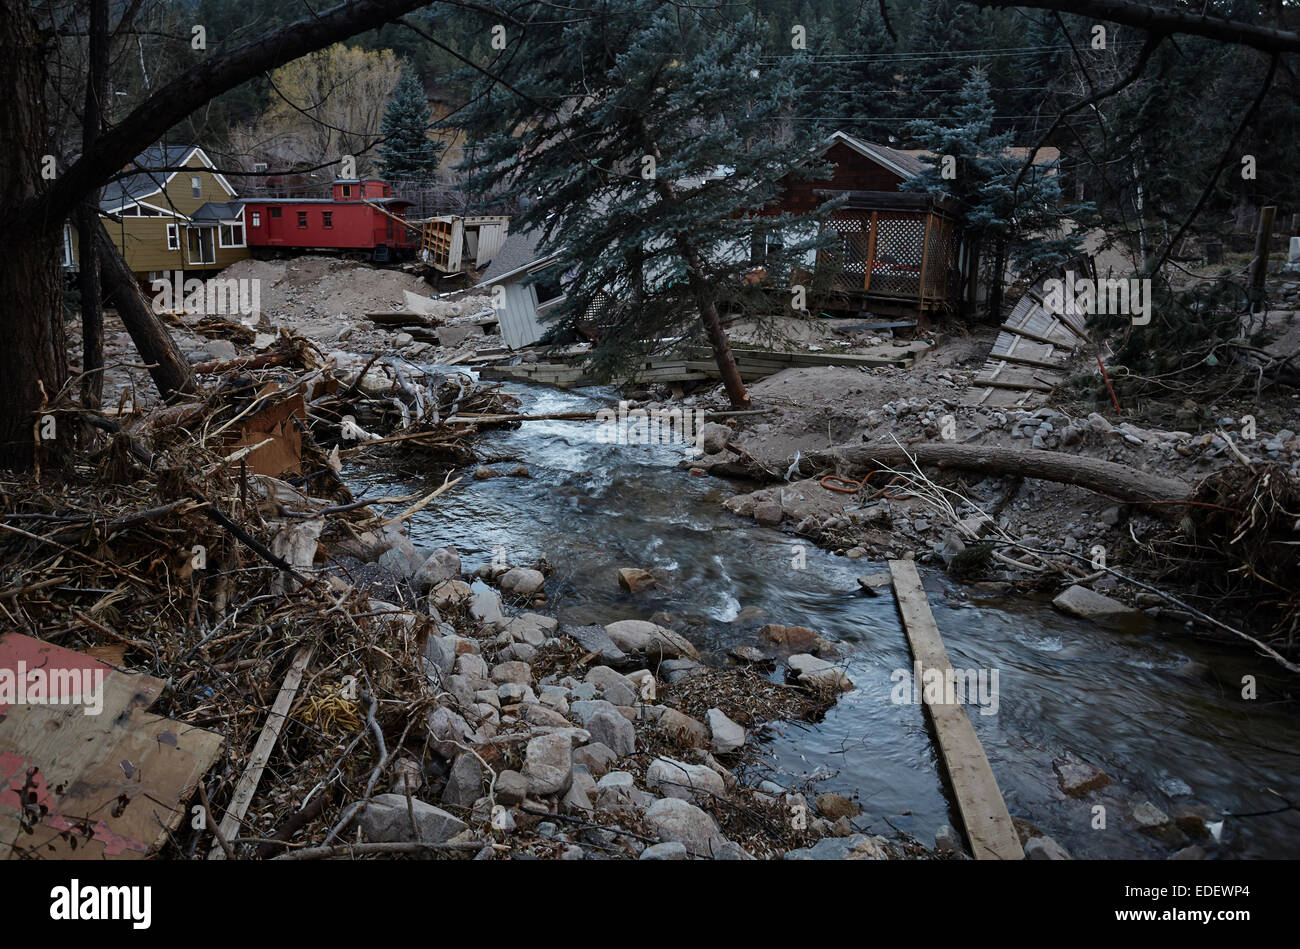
<point x="1115" y="480"/>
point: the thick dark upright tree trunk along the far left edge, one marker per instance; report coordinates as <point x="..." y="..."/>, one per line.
<point x="33" y="356"/>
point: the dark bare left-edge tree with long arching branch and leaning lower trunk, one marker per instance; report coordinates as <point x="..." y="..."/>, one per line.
<point x="34" y="206"/>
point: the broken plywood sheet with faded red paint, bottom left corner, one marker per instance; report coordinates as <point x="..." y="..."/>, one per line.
<point x="106" y="786"/>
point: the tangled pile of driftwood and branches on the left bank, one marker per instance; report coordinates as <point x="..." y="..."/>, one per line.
<point x="190" y="544"/>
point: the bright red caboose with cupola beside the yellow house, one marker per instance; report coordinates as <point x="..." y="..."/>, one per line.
<point x="361" y="216"/>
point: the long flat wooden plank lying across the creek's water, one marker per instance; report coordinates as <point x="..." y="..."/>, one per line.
<point x="987" y="822"/>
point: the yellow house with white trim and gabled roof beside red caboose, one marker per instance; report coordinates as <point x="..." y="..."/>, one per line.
<point x="162" y="222"/>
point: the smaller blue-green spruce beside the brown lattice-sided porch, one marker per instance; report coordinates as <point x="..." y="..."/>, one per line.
<point x="1006" y="223"/>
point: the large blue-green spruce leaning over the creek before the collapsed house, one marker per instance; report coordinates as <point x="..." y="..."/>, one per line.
<point x="648" y="140"/>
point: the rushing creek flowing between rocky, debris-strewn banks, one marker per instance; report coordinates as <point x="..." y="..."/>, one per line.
<point x="1160" y="713"/>
